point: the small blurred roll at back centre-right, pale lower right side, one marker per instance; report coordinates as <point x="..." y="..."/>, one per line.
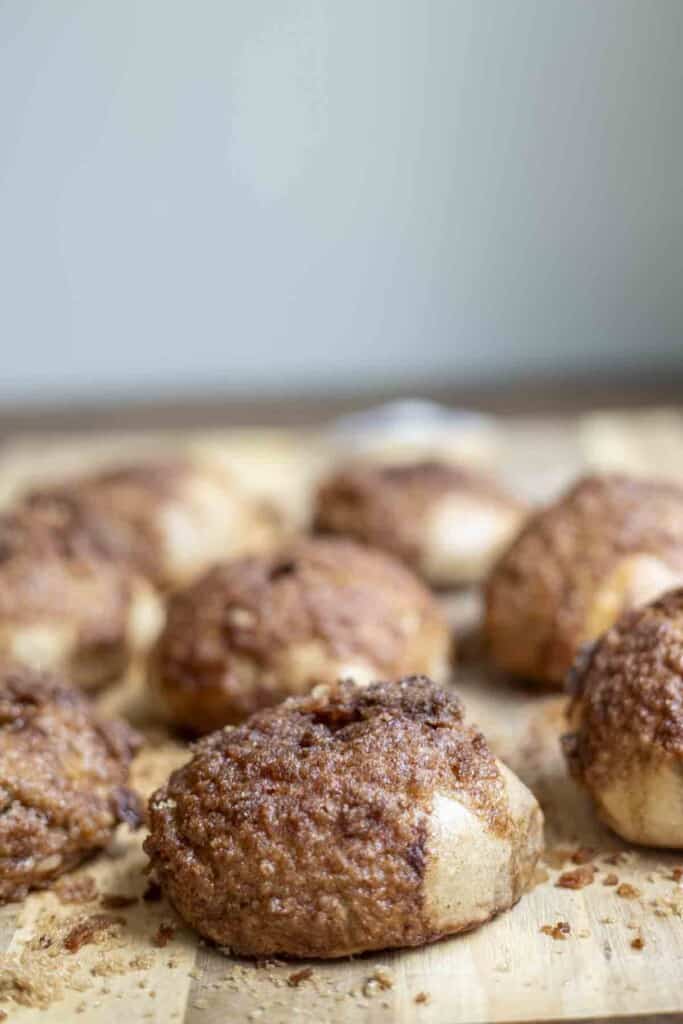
<point x="446" y="522"/>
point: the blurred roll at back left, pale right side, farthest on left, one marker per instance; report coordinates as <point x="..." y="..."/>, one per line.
<point x="170" y="520"/>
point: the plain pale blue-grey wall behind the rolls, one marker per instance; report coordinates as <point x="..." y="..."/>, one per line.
<point x="270" y="194"/>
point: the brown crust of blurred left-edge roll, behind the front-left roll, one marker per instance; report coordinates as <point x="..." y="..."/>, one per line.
<point x="53" y="569"/>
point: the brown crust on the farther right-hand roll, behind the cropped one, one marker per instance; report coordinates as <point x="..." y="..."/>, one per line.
<point x="540" y="593"/>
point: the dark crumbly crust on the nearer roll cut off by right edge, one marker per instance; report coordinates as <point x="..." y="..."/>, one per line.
<point x="628" y="695"/>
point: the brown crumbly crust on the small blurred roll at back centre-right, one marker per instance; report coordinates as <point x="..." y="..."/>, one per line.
<point x="386" y="506"/>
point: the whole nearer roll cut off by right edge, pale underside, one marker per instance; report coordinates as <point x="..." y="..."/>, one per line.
<point x="627" y="717"/>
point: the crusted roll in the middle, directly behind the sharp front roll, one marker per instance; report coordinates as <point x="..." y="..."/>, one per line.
<point x="260" y="629"/>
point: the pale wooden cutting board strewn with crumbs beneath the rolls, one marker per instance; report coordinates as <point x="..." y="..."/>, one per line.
<point x="619" y="951"/>
